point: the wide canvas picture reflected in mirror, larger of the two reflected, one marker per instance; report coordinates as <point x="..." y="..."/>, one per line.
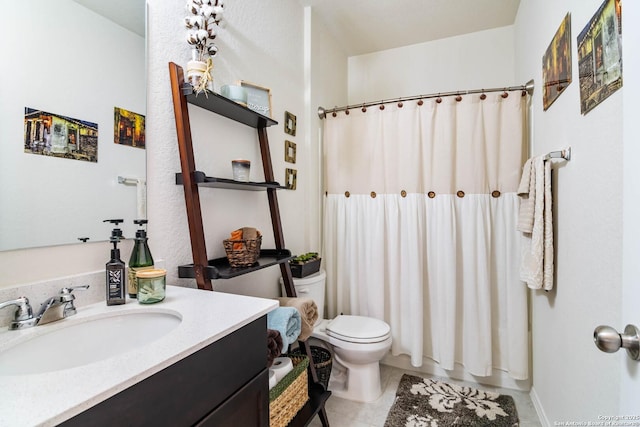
<point x="56" y="135"/>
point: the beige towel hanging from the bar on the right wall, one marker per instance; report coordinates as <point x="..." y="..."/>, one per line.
<point x="536" y="268"/>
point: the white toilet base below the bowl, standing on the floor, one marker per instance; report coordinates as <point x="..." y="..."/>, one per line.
<point x="360" y="383"/>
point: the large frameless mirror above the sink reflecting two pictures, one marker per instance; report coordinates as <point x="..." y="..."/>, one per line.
<point x="71" y="155"/>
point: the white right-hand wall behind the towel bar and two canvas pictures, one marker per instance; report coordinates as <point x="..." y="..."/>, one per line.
<point x="572" y="381"/>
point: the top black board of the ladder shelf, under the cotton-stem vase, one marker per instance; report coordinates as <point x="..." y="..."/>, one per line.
<point x="225" y="107"/>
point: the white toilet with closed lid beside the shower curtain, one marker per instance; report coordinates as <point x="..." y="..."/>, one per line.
<point x="358" y="344"/>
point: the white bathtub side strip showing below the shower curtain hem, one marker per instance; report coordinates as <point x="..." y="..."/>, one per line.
<point x="498" y="379"/>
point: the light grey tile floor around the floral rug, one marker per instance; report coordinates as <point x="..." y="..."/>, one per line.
<point x="345" y="413"/>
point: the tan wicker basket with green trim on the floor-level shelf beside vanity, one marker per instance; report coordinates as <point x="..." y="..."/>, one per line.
<point x="290" y="394"/>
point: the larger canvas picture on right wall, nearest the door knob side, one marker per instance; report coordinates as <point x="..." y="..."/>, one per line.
<point x="600" y="55"/>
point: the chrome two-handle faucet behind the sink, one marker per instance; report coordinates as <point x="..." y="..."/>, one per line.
<point x="53" y="309"/>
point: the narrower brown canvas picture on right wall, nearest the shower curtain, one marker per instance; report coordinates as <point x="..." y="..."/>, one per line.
<point x="556" y="64"/>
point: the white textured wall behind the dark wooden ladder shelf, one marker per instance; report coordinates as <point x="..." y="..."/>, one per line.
<point x="261" y="43"/>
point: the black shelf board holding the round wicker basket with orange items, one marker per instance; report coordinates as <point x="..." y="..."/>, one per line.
<point x="219" y="268"/>
